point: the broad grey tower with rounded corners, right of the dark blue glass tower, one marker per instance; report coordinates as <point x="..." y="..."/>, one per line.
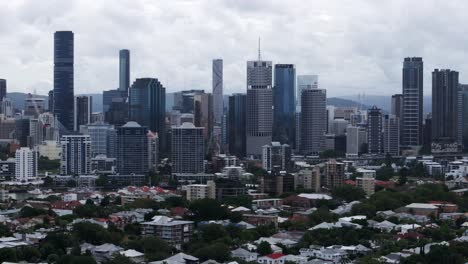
<point x="313" y="121"/>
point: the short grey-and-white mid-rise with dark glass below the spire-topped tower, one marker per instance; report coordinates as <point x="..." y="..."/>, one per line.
<point x="276" y="154"/>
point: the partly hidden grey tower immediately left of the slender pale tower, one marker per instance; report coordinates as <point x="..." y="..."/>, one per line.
<point x="203" y="114"/>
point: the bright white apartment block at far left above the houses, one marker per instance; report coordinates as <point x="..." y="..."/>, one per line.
<point x="26" y="164"/>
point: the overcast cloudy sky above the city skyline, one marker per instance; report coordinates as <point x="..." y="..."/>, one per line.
<point x="355" y="46"/>
